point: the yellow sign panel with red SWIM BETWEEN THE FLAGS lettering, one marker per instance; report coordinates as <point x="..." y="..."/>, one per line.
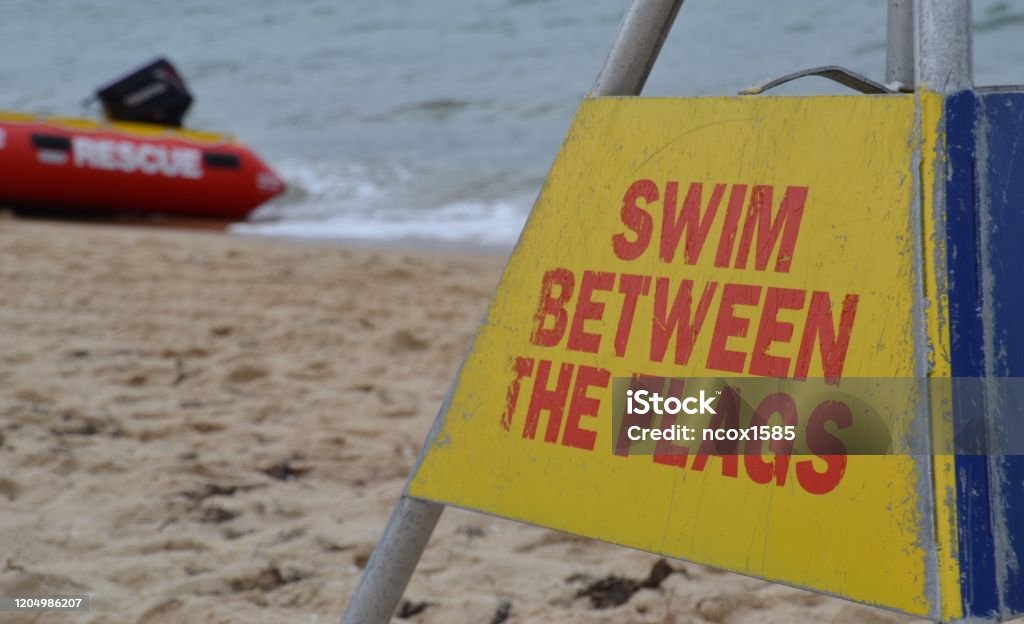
<point x="717" y="239"/>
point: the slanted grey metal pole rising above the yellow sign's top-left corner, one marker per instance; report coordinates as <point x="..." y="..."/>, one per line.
<point x="645" y="28"/>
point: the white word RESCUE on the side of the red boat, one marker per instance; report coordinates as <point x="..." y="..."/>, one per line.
<point x="126" y="156"/>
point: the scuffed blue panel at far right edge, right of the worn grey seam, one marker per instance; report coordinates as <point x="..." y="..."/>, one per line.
<point x="1002" y="198"/>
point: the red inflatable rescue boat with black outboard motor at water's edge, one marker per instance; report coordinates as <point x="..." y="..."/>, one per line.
<point x="144" y="163"/>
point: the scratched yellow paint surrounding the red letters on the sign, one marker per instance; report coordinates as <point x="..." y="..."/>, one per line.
<point x="869" y="538"/>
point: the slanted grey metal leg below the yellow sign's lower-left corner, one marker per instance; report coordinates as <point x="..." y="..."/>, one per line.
<point x="394" y="561"/>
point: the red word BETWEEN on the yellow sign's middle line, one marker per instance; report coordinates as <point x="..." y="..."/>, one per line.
<point x="743" y="328"/>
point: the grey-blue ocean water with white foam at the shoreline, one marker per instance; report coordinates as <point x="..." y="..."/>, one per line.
<point x="431" y="120"/>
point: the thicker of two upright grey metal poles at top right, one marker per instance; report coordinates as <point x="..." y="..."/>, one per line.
<point x="944" y="46"/>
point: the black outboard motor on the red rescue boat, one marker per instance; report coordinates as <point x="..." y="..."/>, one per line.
<point x="152" y="94"/>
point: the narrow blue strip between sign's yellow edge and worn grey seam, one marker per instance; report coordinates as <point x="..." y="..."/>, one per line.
<point x="966" y="342"/>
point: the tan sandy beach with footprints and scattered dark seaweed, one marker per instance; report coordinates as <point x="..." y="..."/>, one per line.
<point x="199" y="428"/>
